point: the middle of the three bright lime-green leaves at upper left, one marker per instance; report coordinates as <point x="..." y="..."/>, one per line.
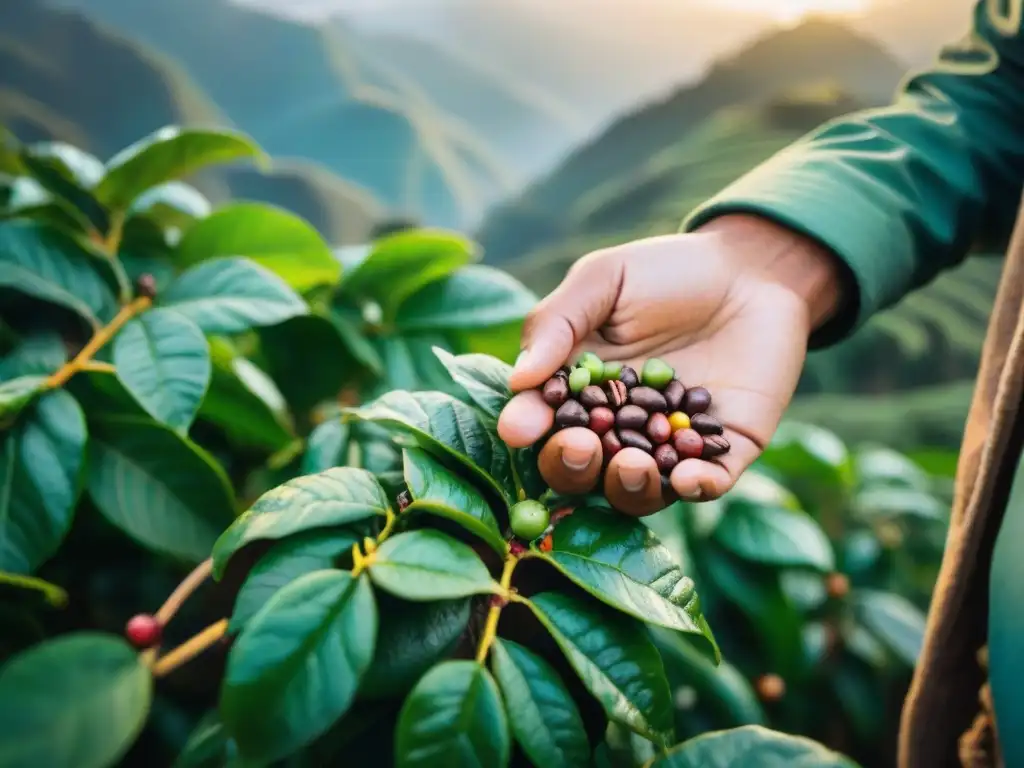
<point x="275" y="239"/>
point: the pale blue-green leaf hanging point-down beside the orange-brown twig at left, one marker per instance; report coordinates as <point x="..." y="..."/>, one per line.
<point x="163" y="360"/>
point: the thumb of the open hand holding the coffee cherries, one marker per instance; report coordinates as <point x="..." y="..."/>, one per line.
<point x="580" y="306"/>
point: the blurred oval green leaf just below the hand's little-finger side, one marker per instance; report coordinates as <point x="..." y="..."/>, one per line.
<point x="774" y="536"/>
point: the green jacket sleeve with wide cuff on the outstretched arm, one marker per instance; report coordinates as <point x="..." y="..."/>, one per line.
<point x="904" y="192"/>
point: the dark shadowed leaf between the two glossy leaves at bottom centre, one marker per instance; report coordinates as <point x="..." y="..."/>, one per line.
<point x="412" y="638"/>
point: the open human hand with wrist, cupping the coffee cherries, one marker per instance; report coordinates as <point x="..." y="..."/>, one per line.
<point x="731" y="308"/>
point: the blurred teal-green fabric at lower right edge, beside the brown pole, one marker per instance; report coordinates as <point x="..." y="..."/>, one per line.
<point x="1006" y="627"/>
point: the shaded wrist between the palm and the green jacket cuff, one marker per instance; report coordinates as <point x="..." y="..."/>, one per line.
<point x="785" y="258"/>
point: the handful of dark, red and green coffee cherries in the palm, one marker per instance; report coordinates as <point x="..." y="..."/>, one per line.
<point x="653" y="411"/>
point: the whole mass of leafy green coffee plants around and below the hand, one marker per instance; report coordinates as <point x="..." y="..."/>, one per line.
<point x="290" y="451"/>
